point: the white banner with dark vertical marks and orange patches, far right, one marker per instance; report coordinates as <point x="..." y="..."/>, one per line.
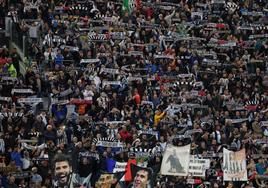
<point x="234" y="165"/>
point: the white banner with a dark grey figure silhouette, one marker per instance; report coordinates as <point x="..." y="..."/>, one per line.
<point x="176" y="161"/>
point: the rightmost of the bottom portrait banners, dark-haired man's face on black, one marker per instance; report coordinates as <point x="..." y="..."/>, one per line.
<point x="141" y="177"/>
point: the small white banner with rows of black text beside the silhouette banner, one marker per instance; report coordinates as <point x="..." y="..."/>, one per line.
<point x="198" y="167"/>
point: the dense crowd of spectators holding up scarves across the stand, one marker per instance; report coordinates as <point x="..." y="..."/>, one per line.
<point x="104" y="70"/>
